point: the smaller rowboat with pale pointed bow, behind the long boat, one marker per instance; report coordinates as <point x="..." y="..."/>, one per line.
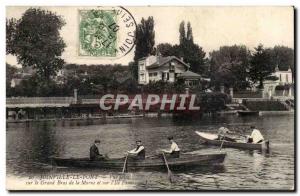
<point x="212" y="139"/>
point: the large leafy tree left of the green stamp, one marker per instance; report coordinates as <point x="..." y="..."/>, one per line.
<point x="36" y="42"/>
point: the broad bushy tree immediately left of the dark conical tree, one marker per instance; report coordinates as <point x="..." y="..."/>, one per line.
<point x="228" y="66"/>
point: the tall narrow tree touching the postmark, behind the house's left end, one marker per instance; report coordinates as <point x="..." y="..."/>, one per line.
<point x="145" y="41"/>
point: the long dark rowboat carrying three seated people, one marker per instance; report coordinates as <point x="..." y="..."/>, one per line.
<point x="185" y="160"/>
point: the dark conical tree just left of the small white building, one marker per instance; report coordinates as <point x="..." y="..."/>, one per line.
<point x="260" y="66"/>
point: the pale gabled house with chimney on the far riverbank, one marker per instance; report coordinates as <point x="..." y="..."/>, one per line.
<point x="169" y="69"/>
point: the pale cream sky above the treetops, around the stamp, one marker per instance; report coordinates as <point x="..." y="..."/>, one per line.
<point x="212" y="27"/>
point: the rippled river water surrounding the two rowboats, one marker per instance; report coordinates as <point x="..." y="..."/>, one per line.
<point x="29" y="147"/>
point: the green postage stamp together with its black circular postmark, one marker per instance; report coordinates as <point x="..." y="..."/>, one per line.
<point x="107" y="32"/>
